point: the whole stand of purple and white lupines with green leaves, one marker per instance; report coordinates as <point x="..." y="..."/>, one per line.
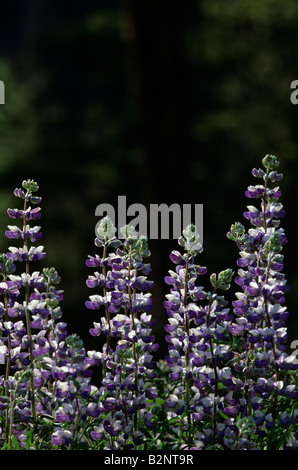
<point x="227" y="381"/>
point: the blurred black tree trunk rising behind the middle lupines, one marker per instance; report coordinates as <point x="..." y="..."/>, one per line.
<point x="159" y="78"/>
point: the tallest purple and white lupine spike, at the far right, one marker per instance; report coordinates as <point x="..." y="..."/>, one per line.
<point x="259" y="308"/>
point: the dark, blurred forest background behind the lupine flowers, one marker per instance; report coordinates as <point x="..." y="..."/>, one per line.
<point x="156" y="100"/>
